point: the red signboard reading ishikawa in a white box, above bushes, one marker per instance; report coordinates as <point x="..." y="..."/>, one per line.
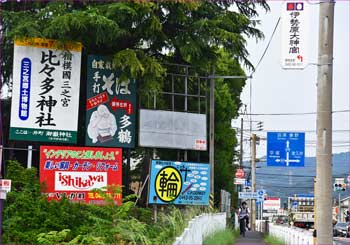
<point x="76" y="173"/>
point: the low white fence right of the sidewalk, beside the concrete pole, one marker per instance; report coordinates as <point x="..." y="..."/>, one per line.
<point x="291" y="235"/>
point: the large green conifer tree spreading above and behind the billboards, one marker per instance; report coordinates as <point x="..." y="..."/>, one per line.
<point x="142" y="36"/>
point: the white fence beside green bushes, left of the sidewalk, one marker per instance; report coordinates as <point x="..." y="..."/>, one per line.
<point x="200" y="227"/>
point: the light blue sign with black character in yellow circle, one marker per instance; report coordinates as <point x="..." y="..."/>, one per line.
<point x="179" y="183"/>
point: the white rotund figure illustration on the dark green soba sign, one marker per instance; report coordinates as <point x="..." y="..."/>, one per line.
<point x="102" y="125"/>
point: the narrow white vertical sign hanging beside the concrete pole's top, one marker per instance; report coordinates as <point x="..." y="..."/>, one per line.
<point x="294" y="34"/>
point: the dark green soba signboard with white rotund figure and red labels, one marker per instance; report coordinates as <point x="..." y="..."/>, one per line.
<point x="110" y="106"/>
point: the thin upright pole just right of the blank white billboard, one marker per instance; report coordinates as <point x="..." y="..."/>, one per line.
<point x="211" y="134"/>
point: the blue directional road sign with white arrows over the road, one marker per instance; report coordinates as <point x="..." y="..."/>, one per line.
<point x="285" y="149"/>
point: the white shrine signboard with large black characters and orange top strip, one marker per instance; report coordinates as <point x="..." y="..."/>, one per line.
<point x="46" y="80"/>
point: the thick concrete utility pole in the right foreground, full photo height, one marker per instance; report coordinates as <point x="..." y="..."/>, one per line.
<point x="324" y="124"/>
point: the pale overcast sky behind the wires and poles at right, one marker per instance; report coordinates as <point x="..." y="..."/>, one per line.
<point x="275" y="90"/>
